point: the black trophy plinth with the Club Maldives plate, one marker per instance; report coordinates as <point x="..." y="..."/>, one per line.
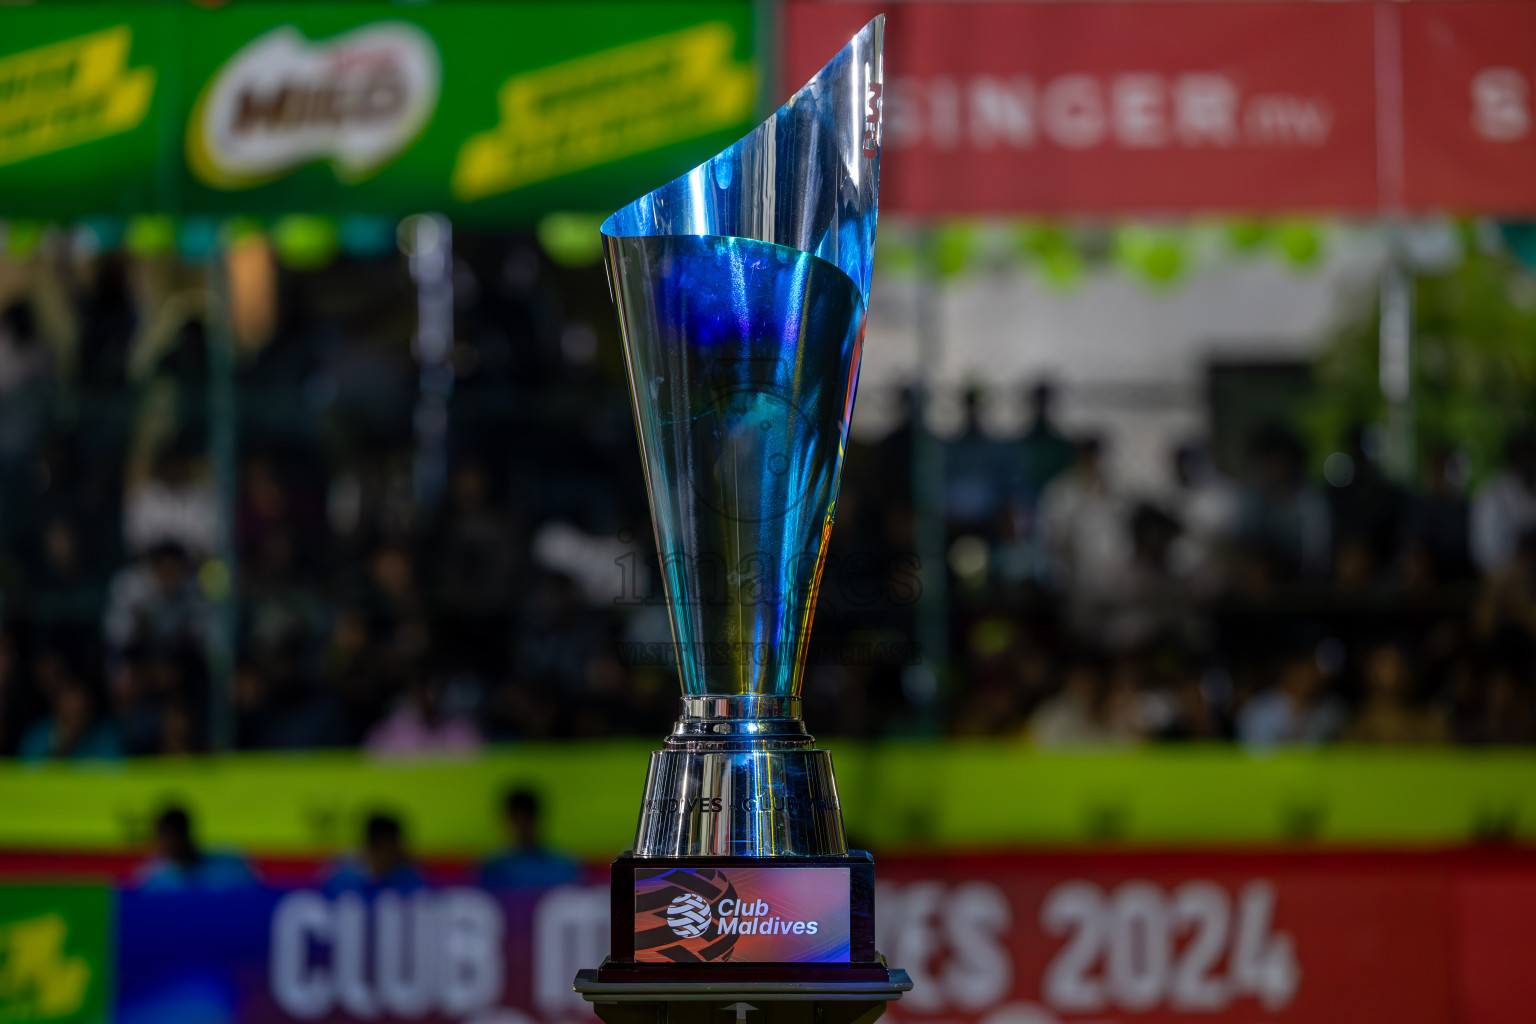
<point x="740" y="919"/>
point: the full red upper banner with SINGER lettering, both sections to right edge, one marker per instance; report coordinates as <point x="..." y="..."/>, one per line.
<point x="1165" y="107"/>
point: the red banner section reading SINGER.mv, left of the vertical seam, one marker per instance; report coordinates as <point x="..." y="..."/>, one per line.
<point x="1074" y="108"/>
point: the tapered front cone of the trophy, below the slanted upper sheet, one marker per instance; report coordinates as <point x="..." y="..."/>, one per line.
<point x="743" y="360"/>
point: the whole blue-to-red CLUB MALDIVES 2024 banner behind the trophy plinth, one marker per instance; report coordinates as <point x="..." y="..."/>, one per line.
<point x="1010" y="939"/>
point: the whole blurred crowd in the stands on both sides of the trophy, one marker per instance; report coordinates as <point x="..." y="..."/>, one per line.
<point x="363" y="595"/>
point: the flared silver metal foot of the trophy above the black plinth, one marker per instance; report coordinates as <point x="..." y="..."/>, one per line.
<point x="741" y="778"/>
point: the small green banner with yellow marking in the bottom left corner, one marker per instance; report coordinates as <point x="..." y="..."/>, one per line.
<point x="55" y="954"/>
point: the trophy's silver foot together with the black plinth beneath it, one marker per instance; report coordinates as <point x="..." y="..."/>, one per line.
<point x="741" y="887"/>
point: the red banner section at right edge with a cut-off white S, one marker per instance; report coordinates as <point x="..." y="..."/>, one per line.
<point x="1469" y="99"/>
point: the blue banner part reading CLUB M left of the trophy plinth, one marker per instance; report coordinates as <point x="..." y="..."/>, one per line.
<point x="308" y="954"/>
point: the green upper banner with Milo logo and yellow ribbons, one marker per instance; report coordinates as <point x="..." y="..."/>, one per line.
<point x="491" y="113"/>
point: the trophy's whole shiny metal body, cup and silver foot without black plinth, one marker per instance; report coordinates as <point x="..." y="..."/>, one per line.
<point x="743" y="291"/>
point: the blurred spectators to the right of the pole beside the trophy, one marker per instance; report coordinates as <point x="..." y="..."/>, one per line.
<point x="1268" y="607"/>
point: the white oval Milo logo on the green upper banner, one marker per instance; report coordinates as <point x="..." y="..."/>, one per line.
<point x="357" y="101"/>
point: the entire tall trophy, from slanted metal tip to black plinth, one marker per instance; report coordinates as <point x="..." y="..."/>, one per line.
<point x="741" y="291"/>
